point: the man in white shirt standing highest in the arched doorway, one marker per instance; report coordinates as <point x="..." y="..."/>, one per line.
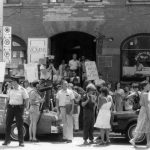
<point x="74" y="63"/>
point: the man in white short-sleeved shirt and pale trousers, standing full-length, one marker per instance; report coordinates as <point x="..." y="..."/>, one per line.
<point x="65" y="105"/>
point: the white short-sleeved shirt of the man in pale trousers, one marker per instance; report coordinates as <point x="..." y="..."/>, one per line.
<point x="65" y="96"/>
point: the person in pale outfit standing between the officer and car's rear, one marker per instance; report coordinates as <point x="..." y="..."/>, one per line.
<point x="34" y="103"/>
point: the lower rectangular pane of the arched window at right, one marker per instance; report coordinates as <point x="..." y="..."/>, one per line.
<point x="135" y="64"/>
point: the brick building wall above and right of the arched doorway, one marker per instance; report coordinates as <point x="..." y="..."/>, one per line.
<point x="111" y="17"/>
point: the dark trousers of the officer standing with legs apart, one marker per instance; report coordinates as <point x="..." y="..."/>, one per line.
<point x="17" y="112"/>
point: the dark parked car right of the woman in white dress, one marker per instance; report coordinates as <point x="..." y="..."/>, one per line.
<point x="124" y="122"/>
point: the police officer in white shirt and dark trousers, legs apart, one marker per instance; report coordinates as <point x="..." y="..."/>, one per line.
<point x="15" y="108"/>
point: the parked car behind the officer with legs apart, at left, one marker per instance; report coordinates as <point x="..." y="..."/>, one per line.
<point x="49" y="123"/>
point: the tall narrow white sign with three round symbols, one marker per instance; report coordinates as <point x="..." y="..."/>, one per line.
<point x="7" y="44"/>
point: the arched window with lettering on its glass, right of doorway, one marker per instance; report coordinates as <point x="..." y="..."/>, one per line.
<point x="135" y="57"/>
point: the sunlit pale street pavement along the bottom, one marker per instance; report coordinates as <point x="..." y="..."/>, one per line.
<point x="118" y="142"/>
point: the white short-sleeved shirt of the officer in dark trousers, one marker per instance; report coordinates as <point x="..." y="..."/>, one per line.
<point x="17" y="96"/>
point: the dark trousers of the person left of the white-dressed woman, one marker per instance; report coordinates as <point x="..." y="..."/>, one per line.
<point x="88" y="124"/>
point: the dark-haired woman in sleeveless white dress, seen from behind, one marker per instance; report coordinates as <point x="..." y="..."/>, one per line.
<point x="104" y="115"/>
